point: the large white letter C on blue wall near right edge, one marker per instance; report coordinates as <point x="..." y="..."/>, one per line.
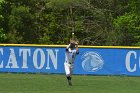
<point x="129" y="55"/>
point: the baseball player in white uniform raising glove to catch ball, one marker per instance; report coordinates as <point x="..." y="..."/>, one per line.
<point x="70" y="55"/>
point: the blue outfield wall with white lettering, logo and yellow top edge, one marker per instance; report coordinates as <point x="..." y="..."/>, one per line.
<point x="50" y="59"/>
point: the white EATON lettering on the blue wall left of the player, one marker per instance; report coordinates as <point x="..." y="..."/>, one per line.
<point x="25" y="58"/>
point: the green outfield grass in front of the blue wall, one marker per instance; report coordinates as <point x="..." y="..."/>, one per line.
<point x="38" y="83"/>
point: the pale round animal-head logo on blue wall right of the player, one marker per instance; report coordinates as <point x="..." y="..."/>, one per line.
<point x="92" y="61"/>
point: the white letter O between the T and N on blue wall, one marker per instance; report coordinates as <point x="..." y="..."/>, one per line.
<point x="35" y="58"/>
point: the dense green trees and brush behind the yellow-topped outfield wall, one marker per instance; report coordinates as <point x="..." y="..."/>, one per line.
<point x="94" y="22"/>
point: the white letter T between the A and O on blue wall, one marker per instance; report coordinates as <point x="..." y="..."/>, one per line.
<point x="24" y="53"/>
